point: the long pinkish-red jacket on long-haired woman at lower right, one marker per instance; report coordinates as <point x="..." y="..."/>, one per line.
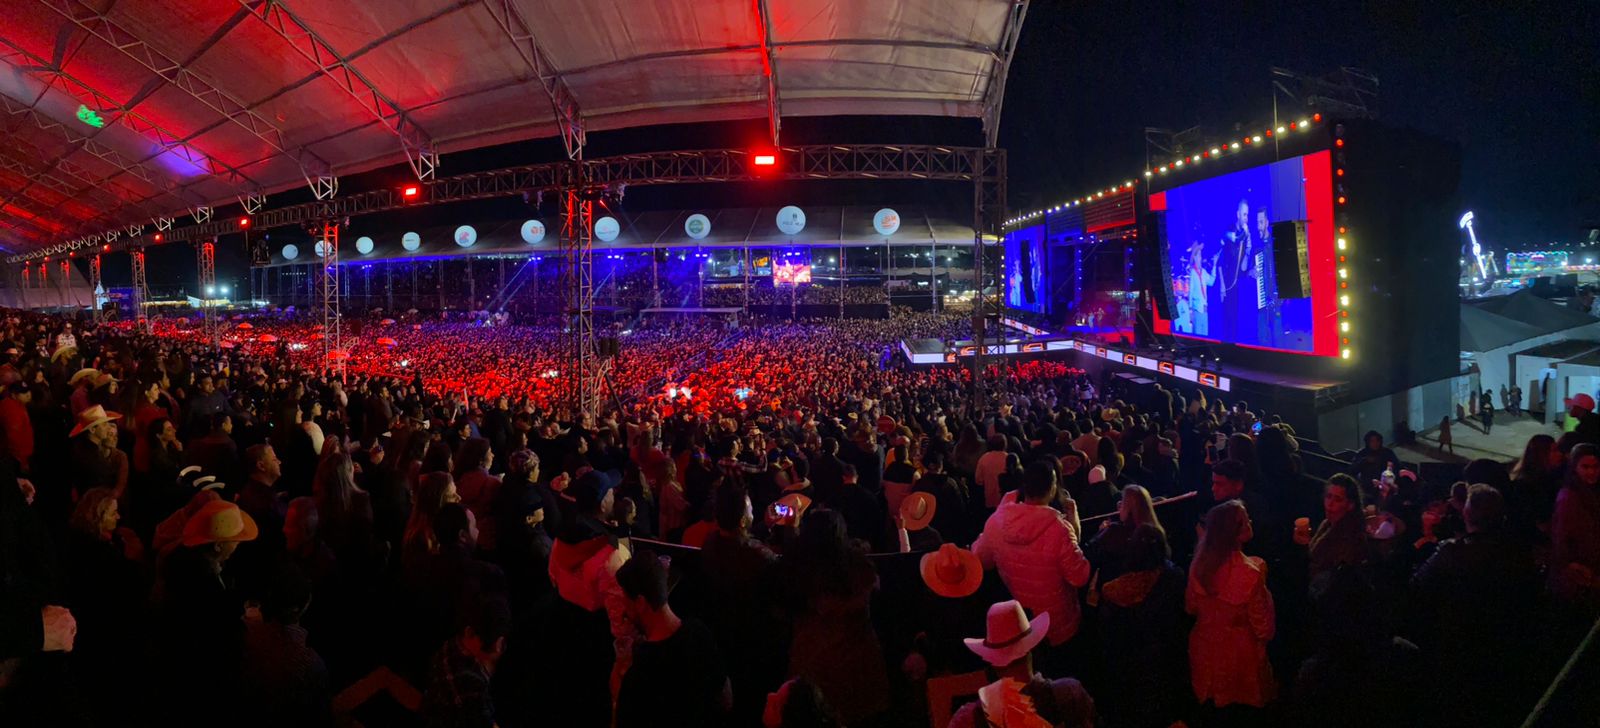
<point x="1228" y="649"/>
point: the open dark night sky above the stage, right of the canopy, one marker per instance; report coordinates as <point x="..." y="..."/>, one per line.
<point x="1516" y="84"/>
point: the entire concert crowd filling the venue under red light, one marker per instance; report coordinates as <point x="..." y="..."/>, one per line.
<point x="774" y="526"/>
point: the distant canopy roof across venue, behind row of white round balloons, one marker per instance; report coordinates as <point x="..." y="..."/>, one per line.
<point x="732" y="228"/>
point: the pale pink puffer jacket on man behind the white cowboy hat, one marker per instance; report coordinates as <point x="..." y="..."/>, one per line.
<point x="1039" y="561"/>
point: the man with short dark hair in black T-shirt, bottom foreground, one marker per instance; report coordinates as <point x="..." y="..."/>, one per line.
<point x="678" y="674"/>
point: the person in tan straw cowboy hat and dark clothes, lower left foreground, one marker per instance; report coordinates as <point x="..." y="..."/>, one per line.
<point x="201" y="633"/>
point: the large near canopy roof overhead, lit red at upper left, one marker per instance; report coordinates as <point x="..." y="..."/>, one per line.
<point x="124" y="113"/>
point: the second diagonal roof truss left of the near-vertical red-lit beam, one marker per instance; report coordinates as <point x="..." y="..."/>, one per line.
<point x="420" y="151"/>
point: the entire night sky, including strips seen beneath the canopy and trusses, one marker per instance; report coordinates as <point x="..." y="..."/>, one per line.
<point x="1518" y="86"/>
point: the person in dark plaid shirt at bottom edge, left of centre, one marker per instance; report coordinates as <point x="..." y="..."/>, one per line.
<point x="458" y="678"/>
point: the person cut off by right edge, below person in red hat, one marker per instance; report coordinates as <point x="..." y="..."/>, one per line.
<point x="1575" y="532"/>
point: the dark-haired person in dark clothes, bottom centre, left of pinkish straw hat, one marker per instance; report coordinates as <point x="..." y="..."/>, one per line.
<point x="834" y="646"/>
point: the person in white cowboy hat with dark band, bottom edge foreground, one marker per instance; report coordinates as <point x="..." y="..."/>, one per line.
<point x="1022" y="698"/>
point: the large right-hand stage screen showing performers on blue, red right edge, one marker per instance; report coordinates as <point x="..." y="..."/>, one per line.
<point x="1226" y="239"/>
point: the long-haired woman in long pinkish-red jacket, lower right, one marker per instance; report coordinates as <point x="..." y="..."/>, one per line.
<point x="1234" y="620"/>
